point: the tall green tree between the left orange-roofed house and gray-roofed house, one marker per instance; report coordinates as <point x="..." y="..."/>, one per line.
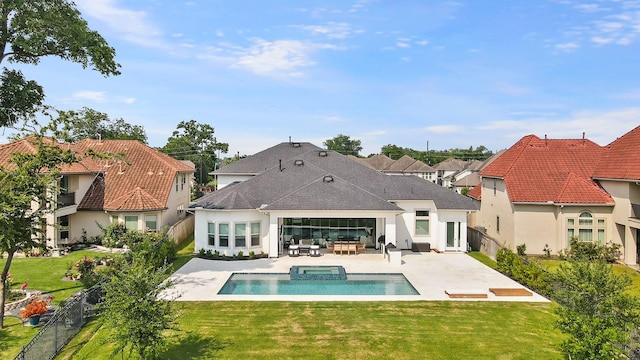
<point x="195" y="142"/>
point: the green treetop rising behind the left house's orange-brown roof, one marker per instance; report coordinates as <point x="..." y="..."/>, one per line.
<point x="91" y="124"/>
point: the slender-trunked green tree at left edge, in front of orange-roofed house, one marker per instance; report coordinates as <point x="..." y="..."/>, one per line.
<point x="27" y="179"/>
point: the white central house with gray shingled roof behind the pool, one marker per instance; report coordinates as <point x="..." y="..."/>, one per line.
<point x="301" y="190"/>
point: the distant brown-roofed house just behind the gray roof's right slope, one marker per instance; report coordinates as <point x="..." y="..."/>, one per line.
<point x="406" y="165"/>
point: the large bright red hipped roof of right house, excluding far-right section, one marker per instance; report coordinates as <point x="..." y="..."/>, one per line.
<point x="550" y="170"/>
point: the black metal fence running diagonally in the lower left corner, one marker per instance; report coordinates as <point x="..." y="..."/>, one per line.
<point x="62" y="326"/>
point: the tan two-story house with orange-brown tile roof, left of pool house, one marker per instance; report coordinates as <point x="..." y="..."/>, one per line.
<point x="137" y="186"/>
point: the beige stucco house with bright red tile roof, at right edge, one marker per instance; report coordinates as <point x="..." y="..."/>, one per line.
<point x="543" y="192"/>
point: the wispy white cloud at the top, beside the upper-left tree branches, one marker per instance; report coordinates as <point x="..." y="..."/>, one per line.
<point x="131" y="25"/>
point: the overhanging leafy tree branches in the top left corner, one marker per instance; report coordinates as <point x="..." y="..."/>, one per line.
<point x="31" y="30"/>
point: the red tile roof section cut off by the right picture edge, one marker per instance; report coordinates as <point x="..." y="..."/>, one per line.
<point x="620" y="158"/>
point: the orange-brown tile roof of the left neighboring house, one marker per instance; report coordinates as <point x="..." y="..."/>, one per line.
<point x="136" y="176"/>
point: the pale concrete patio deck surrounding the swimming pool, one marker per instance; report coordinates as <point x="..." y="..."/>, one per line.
<point x="432" y="274"/>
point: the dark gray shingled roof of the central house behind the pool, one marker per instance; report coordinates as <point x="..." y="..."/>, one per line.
<point x="301" y="186"/>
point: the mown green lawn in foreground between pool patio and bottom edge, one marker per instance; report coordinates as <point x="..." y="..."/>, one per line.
<point x="350" y="330"/>
